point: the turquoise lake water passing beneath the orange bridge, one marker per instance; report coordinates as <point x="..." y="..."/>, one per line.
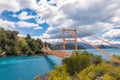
<point x="26" y="68"/>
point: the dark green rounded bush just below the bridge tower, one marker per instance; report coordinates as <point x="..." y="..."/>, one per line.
<point x="78" y="61"/>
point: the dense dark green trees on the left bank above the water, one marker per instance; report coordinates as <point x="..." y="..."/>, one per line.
<point x="11" y="44"/>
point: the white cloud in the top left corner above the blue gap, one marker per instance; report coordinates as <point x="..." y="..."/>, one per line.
<point x="16" y="5"/>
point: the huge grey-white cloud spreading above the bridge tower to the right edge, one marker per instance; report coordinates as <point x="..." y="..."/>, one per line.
<point x="90" y="16"/>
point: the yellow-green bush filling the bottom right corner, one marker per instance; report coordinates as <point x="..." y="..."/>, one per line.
<point x="104" y="71"/>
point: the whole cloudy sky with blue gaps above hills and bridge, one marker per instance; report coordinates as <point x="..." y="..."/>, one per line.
<point x="46" y="18"/>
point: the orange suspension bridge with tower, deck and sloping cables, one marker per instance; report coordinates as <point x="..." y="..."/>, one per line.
<point x="73" y="33"/>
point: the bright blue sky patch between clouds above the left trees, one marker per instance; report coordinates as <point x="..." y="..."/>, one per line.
<point x="8" y="15"/>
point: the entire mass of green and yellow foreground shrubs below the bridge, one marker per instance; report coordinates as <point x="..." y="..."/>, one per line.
<point x="85" y="66"/>
